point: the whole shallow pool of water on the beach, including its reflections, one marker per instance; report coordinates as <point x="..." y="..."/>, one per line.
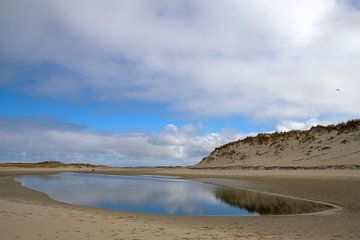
<point x="161" y="195"/>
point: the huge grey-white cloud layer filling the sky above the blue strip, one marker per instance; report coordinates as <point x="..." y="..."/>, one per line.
<point x="279" y="59"/>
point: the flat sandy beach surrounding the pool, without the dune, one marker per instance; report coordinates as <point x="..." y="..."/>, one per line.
<point x="27" y="214"/>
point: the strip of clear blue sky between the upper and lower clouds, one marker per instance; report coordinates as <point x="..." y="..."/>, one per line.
<point x="117" y="117"/>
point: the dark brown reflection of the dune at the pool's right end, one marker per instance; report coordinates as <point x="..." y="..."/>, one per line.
<point x="267" y="204"/>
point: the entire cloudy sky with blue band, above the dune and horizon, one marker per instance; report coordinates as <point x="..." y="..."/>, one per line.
<point x="155" y="82"/>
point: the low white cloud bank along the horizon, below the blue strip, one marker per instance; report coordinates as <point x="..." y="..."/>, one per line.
<point x="26" y="139"/>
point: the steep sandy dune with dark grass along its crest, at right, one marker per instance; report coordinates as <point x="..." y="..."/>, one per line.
<point x="333" y="146"/>
